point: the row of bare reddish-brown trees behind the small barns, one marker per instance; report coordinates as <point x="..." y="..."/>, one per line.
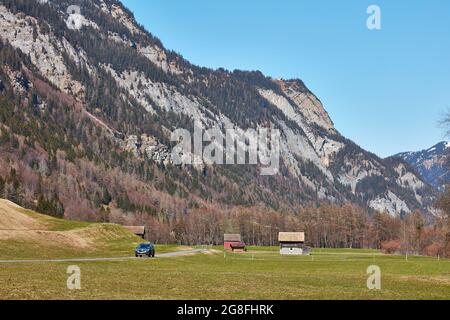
<point x="325" y="226"/>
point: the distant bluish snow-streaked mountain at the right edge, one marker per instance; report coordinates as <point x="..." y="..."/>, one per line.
<point x="433" y="164"/>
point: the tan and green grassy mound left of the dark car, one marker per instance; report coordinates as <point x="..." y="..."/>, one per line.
<point x="25" y="234"/>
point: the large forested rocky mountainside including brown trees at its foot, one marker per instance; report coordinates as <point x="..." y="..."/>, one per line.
<point x="85" y="122"/>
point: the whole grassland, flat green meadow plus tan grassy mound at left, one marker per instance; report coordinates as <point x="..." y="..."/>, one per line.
<point x="261" y="273"/>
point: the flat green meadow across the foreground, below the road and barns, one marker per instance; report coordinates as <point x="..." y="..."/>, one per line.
<point x="258" y="274"/>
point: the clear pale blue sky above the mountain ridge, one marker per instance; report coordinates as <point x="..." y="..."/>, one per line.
<point x="386" y="90"/>
